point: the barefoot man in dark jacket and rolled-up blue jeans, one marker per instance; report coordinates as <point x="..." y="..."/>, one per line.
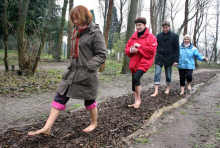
<point x="167" y="55"/>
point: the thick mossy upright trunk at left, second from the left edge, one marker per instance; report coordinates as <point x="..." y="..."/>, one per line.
<point x="23" y="59"/>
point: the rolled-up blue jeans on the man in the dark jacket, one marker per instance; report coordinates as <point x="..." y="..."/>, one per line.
<point x="157" y="74"/>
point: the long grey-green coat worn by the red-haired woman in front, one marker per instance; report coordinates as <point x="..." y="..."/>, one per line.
<point x="81" y="76"/>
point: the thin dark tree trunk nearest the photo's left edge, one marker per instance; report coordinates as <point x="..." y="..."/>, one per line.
<point x="5" y="29"/>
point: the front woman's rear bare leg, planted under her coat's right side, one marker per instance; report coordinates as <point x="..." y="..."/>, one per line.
<point x="94" y="122"/>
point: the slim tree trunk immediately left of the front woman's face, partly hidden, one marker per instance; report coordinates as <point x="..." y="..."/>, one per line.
<point x="69" y="30"/>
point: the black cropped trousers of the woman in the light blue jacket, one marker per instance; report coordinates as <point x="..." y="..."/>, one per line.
<point x="185" y="75"/>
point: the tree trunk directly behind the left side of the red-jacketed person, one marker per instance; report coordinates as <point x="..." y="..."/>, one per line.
<point x="130" y="30"/>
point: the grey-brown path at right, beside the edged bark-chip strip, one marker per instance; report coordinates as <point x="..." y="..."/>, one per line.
<point x="193" y="125"/>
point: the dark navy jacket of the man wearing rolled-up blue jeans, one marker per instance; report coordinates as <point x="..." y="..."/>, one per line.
<point x="167" y="49"/>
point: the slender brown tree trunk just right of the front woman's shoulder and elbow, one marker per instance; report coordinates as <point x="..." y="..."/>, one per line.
<point x="107" y="28"/>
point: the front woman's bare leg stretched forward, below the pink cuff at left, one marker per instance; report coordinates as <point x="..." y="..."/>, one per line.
<point x="50" y="121"/>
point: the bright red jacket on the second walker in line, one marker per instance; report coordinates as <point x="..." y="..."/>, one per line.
<point x="144" y="58"/>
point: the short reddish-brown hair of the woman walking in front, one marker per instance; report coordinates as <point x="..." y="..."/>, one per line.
<point x="82" y="14"/>
